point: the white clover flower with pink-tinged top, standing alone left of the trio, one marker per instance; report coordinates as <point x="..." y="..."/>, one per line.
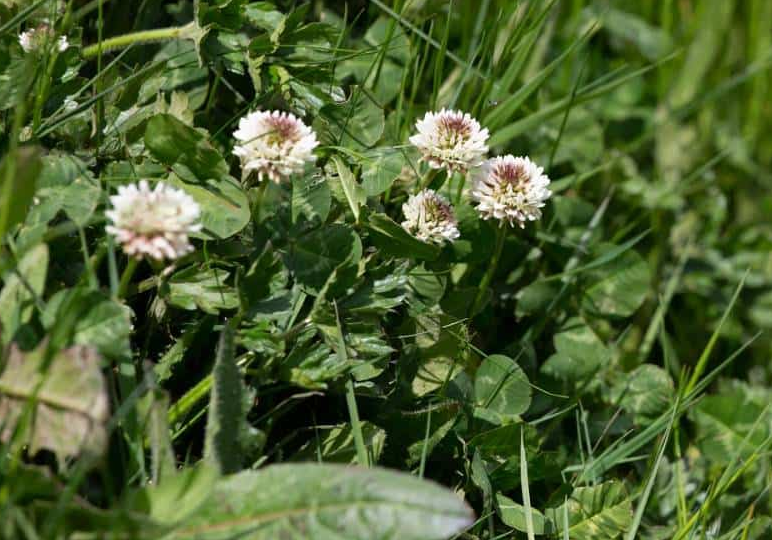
<point x="274" y="144"/>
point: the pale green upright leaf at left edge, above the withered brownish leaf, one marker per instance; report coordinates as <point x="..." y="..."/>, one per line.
<point x="16" y="300"/>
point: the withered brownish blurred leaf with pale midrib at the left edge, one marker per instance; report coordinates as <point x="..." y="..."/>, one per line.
<point x="71" y="405"/>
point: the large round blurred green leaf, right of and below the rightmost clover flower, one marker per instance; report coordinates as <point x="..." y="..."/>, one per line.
<point x="619" y="287"/>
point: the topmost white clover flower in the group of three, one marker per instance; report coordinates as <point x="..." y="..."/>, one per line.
<point x="450" y="139"/>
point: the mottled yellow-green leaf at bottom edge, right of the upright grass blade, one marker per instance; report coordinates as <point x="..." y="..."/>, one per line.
<point x="601" y="512"/>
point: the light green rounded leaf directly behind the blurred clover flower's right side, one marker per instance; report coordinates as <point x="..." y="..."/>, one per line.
<point x="224" y="205"/>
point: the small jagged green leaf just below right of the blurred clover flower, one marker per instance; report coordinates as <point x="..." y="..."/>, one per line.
<point x="200" y="288"/>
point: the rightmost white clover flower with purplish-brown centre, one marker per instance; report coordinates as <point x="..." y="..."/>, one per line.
<point x="511" y="188"/>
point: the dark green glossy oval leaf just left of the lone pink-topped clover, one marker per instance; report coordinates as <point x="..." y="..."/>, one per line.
<point x="183" y="148"/>
